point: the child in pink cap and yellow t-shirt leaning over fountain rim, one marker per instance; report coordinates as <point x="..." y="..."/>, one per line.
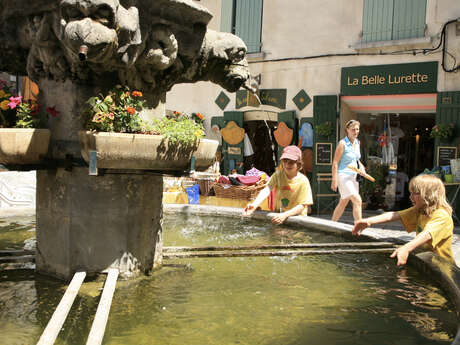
<point x="293" y="191"/>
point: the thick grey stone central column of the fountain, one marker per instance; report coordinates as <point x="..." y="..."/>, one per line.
<point x="88" y="222"/>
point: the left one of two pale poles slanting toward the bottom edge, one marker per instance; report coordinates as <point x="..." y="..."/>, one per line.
<point x="54" y="326"/>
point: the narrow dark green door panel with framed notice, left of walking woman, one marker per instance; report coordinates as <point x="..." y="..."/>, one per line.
<point x="324" y="114"/>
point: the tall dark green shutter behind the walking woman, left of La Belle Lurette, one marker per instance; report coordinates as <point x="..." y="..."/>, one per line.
<point x="324" y="109"/>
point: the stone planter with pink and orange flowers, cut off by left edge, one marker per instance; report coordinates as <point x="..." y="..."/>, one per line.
<point x="24" y="140"/>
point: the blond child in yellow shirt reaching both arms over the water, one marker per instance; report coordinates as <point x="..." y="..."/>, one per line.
<point x="430" y="217"/>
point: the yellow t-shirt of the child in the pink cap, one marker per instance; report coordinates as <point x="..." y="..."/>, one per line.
<point x="291" y="192"/>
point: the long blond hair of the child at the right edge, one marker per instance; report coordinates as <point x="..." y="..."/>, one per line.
<point x="432" y="192"/>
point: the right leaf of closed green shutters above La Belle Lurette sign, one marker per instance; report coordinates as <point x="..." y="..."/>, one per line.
<point x="409" y="19"/>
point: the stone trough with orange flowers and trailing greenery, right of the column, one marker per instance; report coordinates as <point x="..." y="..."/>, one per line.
<point x="123" y="140"/>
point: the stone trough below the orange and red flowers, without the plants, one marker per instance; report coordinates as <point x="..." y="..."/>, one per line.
<point x="145" y="152"/>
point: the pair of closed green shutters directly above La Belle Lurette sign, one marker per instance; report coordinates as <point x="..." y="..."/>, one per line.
<point x="385" y="20"/>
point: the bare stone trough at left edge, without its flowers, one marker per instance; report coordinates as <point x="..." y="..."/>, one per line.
<point x="22" y="146"/>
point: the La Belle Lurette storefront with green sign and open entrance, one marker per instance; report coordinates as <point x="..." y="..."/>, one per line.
<point x="398" y="106"/>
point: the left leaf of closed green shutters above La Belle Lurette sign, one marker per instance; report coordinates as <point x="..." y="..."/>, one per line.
<point x="377" y="20"/>
